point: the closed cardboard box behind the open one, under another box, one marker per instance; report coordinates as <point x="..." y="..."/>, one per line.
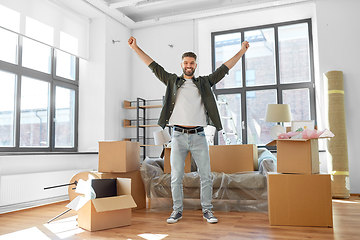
<point x="137" y="185"/>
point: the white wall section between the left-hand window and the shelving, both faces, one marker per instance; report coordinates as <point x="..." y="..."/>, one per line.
<point x="105" y="82"/>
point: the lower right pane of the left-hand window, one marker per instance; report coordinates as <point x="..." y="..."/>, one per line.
<point x="65" y="117"/>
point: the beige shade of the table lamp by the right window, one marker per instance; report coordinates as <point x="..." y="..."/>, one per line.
<point x="278" y="113"/>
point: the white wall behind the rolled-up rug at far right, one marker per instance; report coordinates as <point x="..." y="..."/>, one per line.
<point x="338" y="34"/>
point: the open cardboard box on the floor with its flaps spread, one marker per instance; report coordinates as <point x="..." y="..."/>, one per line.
<point x="104" y="213"/>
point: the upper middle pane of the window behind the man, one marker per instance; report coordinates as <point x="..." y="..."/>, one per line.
<point x="260" y="59"/>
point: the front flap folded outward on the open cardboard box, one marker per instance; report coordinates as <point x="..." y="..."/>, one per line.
<point x="114" y="203"/>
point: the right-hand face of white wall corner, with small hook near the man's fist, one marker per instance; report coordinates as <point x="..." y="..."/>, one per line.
<point x="118" y="78"/>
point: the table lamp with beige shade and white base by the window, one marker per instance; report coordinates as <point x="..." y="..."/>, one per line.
<point x="277" y="113"/>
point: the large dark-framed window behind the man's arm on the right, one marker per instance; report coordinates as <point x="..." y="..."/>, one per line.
<point x="278" y="68"/>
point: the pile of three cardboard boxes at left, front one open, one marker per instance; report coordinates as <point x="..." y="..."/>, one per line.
<point x="120" y="161"/>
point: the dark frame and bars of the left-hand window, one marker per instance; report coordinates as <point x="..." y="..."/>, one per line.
<point x="19" y="71"/>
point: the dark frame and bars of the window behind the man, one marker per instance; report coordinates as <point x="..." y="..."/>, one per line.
<point x="278" y="86"/>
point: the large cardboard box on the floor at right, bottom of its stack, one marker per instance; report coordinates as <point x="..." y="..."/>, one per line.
<point x="300" y="199"/>
